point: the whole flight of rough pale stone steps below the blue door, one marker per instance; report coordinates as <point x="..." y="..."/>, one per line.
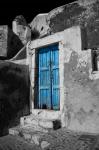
<point x="36" y="125"/>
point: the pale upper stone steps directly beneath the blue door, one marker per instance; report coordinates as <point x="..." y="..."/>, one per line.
<point x="43" y="118"/>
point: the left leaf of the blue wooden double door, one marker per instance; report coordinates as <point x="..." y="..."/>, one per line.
<point x="44" y="78"/>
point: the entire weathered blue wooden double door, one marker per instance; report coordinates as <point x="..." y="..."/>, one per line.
<point x="48" y="77"/>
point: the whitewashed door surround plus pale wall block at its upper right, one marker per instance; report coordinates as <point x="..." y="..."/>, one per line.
<point x="68" y="40"/>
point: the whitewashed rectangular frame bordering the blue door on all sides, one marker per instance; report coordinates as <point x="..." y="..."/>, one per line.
<point x="31" y="51"/>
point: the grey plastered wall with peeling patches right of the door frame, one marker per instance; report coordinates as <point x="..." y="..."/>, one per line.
<point x="81" y="103"/>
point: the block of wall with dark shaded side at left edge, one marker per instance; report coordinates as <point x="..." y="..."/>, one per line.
<point x="10" y="44"/>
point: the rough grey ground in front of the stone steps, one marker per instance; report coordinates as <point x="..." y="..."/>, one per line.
<point x="55" y="140"/>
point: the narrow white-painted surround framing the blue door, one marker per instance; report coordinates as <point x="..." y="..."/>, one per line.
<point x="57" y="38"/>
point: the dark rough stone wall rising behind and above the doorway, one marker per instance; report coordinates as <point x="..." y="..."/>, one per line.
<point x="84" y="13"/>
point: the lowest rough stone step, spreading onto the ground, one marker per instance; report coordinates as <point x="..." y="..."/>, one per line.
<point x="29" y="133"/>
